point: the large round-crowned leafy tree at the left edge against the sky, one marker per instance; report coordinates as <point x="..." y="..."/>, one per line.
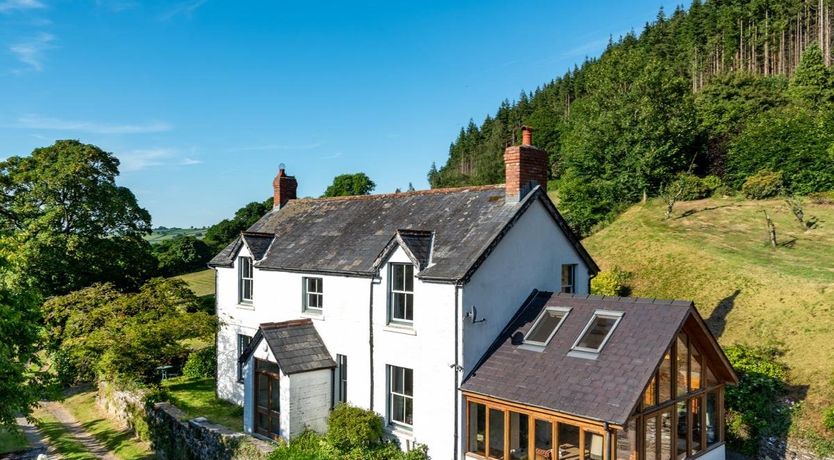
<point x="71" y="223"/>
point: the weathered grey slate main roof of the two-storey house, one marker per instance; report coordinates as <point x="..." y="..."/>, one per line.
<point x="346" y="235"/>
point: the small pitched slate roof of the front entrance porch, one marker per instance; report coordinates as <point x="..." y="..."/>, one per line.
<point x="296" y="345"/>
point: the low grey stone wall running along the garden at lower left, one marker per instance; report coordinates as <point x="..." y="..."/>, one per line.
<point x="172" y="435"/>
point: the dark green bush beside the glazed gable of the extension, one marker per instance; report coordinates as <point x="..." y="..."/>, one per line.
<point x="754" y="409"/>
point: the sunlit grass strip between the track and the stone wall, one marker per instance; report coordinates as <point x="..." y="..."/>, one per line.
<point x="108" y="433"/>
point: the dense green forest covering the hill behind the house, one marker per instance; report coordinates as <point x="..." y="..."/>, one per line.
<point x="726" y="88"/>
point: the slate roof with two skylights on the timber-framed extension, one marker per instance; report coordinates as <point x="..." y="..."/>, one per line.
<point x="606" y="388"/>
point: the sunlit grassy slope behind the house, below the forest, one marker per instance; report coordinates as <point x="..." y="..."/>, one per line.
<point x="716" y="252"/>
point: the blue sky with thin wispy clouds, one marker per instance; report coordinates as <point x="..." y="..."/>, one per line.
<point x="202" y="99"/>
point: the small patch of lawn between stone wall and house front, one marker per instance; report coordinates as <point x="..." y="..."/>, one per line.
<point x="196" y="398"/>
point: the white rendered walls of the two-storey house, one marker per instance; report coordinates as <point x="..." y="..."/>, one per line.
<point x="530" y="256"/>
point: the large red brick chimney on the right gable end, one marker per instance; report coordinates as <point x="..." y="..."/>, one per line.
<point x="525" y="167"/>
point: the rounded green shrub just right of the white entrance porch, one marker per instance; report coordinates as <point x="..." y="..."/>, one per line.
<point x="351" y="427"/>
